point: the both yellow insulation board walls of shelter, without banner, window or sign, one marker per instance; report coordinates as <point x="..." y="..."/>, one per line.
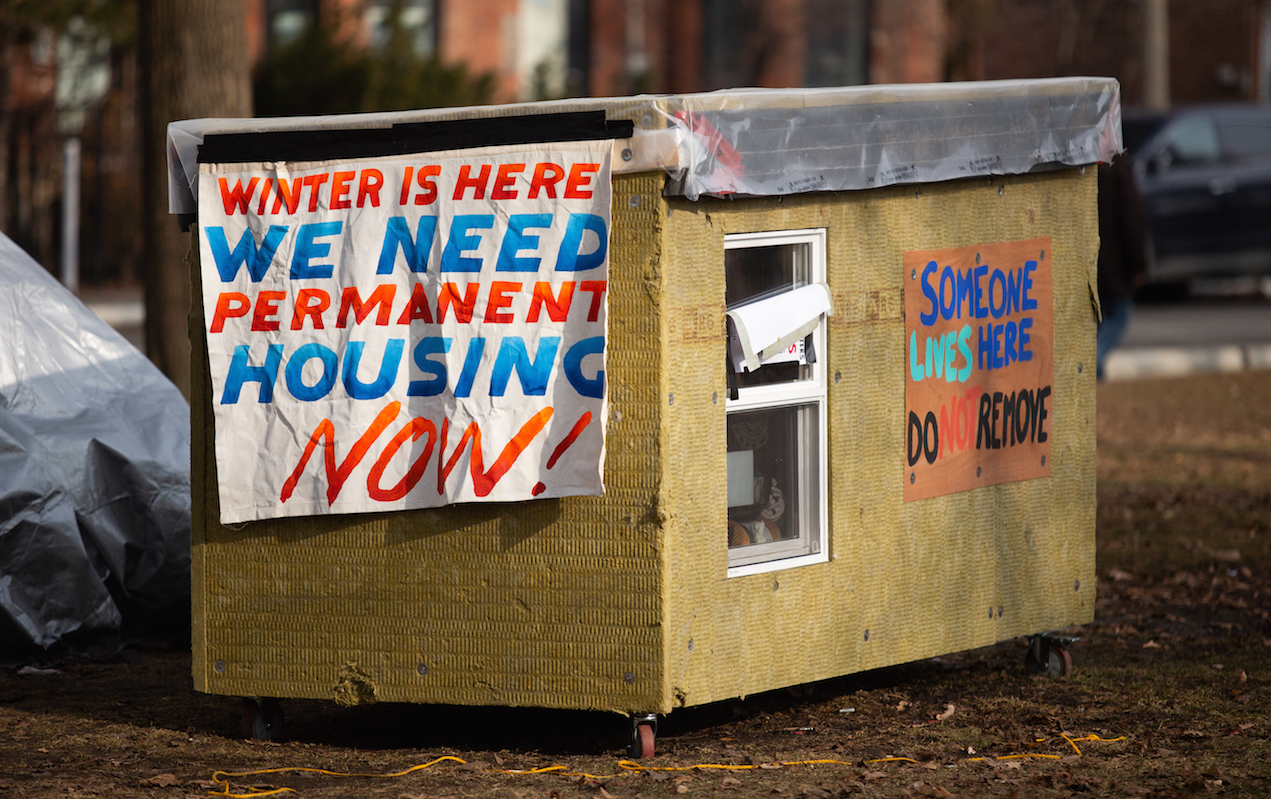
<point x="594" y="603"/>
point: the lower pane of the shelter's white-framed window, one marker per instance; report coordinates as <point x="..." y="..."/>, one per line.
<point x="773" y="478"/>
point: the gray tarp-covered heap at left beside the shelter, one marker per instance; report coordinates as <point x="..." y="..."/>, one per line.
<point x="95" y="476"/>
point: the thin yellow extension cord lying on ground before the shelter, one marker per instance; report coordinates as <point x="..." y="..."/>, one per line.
<point x="222" y="778"/>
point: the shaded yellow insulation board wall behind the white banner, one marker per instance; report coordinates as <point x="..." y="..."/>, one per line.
<point x="551" y="603"/>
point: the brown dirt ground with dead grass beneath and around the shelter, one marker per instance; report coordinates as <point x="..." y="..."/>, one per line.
<point x="1170" y="694"/>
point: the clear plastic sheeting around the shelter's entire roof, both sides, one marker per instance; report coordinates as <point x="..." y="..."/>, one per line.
<point x="790" y="142"/>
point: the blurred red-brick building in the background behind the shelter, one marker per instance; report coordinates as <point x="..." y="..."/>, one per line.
<point x="1218" y="50"/>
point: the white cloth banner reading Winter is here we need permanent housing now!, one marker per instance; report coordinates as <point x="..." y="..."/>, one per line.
<point x="407" y="332"/>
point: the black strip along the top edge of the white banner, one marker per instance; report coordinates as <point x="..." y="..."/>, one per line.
<point x="410" y="138"/>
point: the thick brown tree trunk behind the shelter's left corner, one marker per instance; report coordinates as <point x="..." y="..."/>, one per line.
<point x="194" y="64"/>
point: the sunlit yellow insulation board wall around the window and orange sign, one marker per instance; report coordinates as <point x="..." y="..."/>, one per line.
<point x="904" y="581"/>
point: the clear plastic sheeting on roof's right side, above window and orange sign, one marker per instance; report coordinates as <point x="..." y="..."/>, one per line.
<point x="762" y="143"/>
